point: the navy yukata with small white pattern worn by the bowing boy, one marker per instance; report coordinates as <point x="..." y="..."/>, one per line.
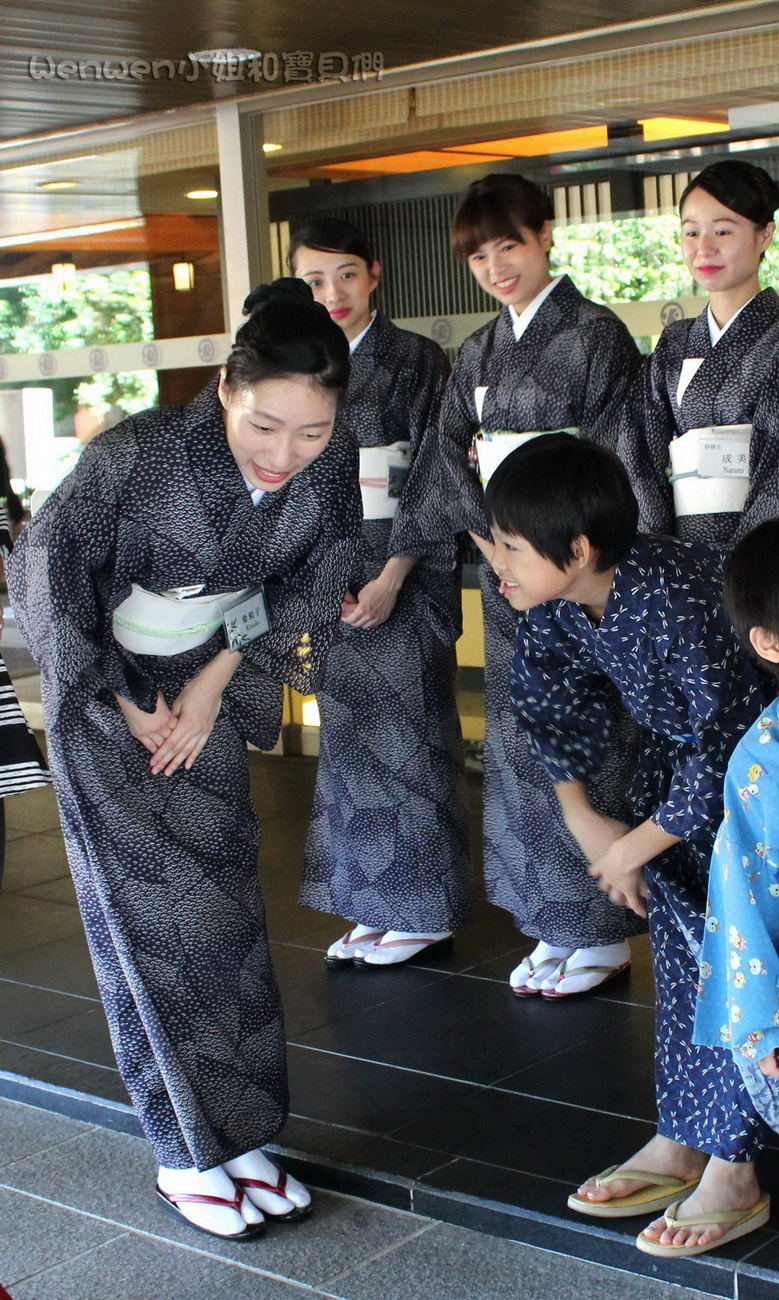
<point x="668" y="647"/>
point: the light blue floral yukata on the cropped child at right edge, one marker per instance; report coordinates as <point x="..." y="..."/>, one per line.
<point x="738" y="1004"/>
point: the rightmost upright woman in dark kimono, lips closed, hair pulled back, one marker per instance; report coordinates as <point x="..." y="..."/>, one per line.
<point x="719" y="370"/>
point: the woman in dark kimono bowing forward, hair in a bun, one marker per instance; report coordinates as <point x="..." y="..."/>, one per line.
<point x="193" y="562"/>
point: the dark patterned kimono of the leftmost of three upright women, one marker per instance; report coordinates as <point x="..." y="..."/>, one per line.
<point x="388" y="844"/>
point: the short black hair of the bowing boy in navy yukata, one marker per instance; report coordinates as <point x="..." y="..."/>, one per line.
<point x="556" y="488"/>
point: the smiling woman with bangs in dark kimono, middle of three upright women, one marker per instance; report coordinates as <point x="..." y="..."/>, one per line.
<point x="551" y="361"/>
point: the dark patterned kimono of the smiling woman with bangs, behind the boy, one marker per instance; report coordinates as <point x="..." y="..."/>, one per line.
<point x="570" y="369"/>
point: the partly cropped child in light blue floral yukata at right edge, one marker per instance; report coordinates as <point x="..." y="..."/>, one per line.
<point x="739" y="991"/>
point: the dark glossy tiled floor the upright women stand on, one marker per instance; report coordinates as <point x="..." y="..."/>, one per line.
<point x="427" y="1087"/>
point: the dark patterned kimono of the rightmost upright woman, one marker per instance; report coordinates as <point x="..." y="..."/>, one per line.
<point x="737" y="384"/>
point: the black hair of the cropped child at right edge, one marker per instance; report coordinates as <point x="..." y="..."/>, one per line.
<point x="752" y="583"/>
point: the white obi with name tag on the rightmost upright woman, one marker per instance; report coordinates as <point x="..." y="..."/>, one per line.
<point x="711" y="470"/>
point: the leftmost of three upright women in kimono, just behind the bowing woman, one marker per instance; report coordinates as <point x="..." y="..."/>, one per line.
<point x="388" y="846"/>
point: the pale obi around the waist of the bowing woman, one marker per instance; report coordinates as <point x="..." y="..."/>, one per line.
<point x="175" y="622"/>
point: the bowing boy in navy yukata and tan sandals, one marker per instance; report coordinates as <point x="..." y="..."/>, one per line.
<point x="604" y="605"/>
